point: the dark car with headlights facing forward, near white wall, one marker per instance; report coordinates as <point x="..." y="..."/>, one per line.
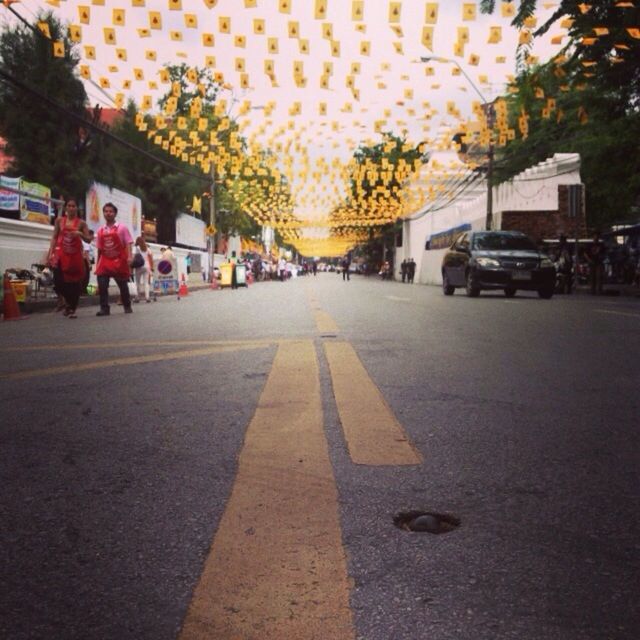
<point x="507" y="260"/>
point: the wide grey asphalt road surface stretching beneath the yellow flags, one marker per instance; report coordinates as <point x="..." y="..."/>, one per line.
<point x="123" y="456"/>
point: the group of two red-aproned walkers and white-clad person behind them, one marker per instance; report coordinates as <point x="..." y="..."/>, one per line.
<point x="116" y="258"/>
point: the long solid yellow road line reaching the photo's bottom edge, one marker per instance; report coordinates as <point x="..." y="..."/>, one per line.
<point x="276" y="569"/>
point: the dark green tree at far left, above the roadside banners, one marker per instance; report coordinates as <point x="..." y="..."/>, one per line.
<point x="48" y="144"/>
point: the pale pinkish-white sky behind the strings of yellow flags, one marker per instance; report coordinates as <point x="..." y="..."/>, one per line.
<point x="357" y="66"/>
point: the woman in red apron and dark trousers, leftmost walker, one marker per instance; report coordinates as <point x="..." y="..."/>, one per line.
<point x="66" y="256"/>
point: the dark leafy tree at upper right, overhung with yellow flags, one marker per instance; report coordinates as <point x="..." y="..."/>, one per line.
<point x="594" y="88"/>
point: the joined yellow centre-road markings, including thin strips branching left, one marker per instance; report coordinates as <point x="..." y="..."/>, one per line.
<point x="277" y="568"/>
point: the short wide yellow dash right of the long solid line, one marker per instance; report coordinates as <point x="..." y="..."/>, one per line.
<point x="373" y="434"/>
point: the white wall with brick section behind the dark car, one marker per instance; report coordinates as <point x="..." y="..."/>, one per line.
<point x="535" y="201"/>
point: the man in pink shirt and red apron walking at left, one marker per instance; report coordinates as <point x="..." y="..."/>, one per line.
<point x="114" y="244"/>
